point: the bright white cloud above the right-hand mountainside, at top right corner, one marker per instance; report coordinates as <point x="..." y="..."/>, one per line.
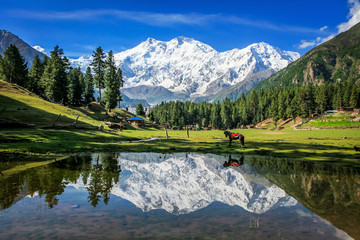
<point x="354" y="18"/>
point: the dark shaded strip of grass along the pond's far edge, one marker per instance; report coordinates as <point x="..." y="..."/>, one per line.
<point x="65" y="141"/>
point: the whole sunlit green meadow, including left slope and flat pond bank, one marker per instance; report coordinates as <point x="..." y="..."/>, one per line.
<point x="21" y="105"/>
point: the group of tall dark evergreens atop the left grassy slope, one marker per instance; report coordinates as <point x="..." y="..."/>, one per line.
<point x="54" y="80"/>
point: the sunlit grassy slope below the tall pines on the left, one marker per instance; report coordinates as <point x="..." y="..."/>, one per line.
<point x="20" y="105"/>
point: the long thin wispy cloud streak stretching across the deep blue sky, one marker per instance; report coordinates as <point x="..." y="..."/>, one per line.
<point x="154" y="19"/>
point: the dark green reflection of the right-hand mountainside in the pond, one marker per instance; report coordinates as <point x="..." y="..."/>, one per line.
<point x="331" y="191"/>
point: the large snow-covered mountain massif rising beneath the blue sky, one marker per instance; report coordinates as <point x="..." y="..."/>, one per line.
<point x="187" y="66"/>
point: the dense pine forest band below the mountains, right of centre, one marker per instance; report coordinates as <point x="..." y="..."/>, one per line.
<point x="277" y="103"/>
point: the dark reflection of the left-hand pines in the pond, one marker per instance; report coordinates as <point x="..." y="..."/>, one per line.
<point x="51" y="180"/>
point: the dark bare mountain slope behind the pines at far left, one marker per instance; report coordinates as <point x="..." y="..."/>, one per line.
<point x="29" y="53"/>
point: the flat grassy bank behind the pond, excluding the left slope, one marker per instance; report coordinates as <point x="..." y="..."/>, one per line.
<point x="319" y="145"/>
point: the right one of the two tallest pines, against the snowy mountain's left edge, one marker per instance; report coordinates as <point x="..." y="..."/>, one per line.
<point x="112" y="83"/>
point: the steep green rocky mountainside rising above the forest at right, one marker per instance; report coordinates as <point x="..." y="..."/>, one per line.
<point x="335" y="60"/>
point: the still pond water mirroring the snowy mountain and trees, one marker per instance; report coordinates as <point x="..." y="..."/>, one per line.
<point x="179" y="196"/>
